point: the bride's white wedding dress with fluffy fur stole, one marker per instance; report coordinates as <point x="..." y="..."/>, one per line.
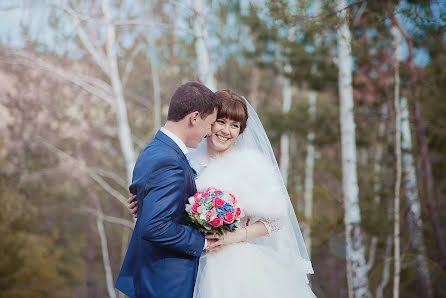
<point x="267" y="266"/>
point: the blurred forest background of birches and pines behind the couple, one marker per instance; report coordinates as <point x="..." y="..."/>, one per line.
<point x="351" y="93"/>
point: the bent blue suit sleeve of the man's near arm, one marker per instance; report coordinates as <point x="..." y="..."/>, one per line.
<point x="165" y="197"/>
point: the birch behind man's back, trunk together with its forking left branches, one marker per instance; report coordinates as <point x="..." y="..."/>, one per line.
<point x="106" y="58"/>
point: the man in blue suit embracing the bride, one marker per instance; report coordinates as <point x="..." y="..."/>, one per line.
<point x="162" y="257"/>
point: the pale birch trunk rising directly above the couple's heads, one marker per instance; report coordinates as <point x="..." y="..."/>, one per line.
<point x="205" y="73"/>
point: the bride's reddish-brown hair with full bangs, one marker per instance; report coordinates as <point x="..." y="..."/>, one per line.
<point x="233" y="107"/>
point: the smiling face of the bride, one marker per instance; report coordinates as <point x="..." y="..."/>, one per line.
<point x="223" y="135"/>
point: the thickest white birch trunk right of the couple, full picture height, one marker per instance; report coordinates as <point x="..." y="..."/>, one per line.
<point x="355" y="253"/>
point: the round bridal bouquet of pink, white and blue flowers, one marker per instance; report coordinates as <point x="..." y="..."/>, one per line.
<point x="213" y="211"/>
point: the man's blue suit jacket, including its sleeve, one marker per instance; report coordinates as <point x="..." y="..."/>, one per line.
<point x="162" y="257"/>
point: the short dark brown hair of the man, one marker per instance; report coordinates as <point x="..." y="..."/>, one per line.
<point x="191" y="97"/>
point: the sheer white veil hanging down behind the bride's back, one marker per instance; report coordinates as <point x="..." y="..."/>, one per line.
<point x="288" y="240"/>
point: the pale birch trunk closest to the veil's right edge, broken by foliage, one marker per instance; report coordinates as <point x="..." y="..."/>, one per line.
<point x="285" y="138"/>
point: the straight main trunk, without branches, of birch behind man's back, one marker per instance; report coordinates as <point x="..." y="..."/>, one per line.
<point x="121" y="110"/>
